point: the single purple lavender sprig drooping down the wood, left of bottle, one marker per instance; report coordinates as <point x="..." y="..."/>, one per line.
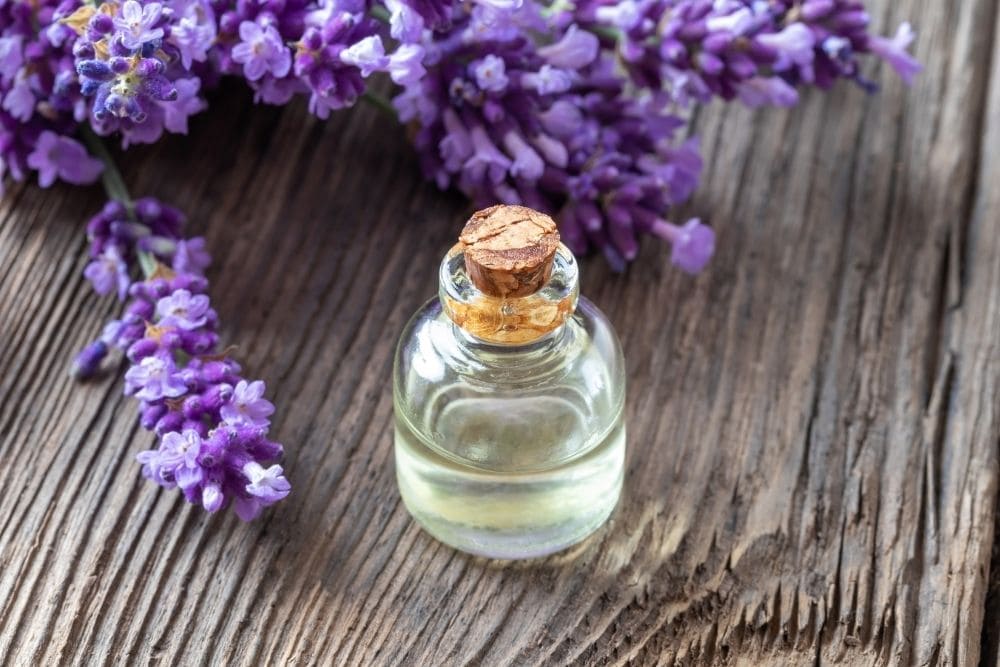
<point x="212" y="423"/>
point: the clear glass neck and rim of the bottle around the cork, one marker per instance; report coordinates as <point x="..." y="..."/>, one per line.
<point x="509" y="321"/>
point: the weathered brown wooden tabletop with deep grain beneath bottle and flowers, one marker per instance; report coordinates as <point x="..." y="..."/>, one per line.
<point x="813" y="422"/>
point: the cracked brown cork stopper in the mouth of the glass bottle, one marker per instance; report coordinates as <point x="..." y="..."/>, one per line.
<point x="509" y="250"/>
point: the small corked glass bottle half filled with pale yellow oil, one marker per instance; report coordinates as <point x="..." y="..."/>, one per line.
<point x="509" y="392"/>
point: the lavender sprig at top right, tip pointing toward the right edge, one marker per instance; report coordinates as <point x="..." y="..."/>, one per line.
<point x="760" y="51"/>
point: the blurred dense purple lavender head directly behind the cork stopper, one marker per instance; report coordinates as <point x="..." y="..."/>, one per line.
<point x="552" y="126"/>
